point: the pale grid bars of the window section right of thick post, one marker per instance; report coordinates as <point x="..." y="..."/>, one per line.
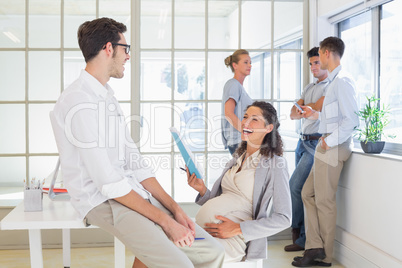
<point x="271" y="49"/>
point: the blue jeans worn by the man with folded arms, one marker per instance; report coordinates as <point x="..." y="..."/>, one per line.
<point x="304" y="161"/>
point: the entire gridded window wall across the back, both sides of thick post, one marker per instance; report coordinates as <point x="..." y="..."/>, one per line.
<point x="175" y="77"/>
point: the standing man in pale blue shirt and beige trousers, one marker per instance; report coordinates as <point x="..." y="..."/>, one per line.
<point x="338" y="120"/>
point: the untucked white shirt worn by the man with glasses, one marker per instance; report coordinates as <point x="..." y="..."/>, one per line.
<point x="99" y="160"/>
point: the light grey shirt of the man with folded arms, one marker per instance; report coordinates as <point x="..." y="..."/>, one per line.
<point x="311" y="94"/>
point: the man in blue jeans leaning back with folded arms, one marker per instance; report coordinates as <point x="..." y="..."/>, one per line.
<point x="313" y="96"/>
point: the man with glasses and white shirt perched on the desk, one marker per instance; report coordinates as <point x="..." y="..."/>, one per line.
<point x="109" y="183"/>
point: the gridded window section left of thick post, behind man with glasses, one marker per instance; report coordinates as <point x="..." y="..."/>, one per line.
<point x="42" y="57"/>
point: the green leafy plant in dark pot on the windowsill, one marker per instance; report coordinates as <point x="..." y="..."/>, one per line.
<point x="375" y="120"/>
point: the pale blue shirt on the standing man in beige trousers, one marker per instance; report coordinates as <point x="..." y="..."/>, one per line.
<point x="338" y="116"/>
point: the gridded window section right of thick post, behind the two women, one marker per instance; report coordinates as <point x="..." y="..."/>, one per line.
<point x="183" y="47"/>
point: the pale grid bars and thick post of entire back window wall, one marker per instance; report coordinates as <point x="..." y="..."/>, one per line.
<point x="135" y="102"/>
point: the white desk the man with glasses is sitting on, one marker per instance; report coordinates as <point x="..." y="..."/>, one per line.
<point x="55" y="215"/>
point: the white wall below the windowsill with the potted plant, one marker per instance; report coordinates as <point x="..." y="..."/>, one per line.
<point x="370" y="212"/>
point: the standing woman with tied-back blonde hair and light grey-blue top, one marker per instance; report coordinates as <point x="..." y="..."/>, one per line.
<point x="235" y="99"/>
